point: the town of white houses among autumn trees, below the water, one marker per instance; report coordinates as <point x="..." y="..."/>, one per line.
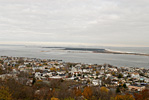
<point x="34" y="72"/>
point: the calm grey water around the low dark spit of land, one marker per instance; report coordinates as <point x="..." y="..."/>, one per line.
<point x="118" y="60"/>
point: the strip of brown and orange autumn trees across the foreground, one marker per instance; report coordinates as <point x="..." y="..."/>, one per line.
<point x="11" y="89"/>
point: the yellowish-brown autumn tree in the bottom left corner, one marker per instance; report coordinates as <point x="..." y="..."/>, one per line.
<point x="5" y="93"/>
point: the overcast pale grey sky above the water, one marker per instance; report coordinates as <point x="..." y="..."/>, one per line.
<point x="86" y="22"/>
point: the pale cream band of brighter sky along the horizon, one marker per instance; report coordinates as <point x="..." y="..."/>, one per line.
<point x="66" y="44"/>
